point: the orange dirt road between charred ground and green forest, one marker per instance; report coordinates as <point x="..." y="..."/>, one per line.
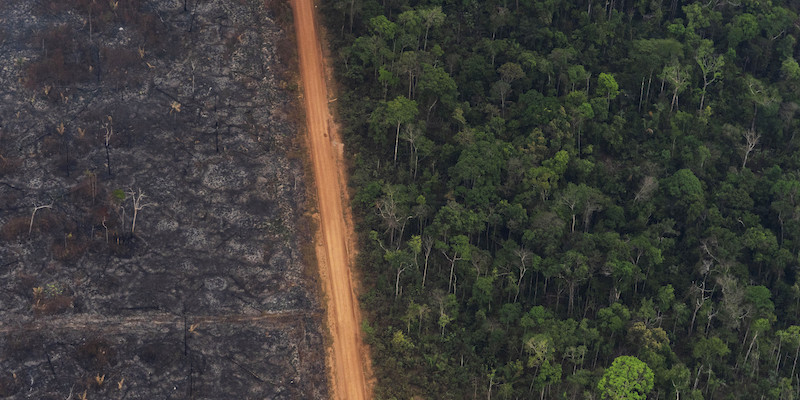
<point x="348" y="362"/>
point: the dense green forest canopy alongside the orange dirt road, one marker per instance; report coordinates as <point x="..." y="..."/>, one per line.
<point x="575" y="199"/>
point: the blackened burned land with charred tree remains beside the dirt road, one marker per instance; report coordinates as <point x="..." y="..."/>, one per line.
<point x="152" y="238"/>
